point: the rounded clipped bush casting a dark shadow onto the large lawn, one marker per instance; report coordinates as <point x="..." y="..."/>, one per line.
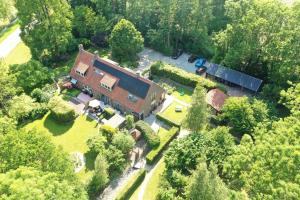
<point x="61" y="111"/>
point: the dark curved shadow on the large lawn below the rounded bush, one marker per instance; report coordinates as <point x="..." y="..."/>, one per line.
<point x="56" y="128"/>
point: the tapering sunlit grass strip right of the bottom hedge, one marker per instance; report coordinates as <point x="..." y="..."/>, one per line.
<point x="152" y="187"/>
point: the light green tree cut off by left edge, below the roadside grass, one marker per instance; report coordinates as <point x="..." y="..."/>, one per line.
<point x="8" y="85"/>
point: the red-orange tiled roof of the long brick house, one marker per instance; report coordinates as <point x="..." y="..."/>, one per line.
<point x="93" y="79"/>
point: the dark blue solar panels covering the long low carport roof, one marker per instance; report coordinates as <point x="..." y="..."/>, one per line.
<point x="234" y="76"/>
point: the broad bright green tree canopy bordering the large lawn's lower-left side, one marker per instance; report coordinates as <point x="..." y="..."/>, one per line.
<point x="35" y="149"/>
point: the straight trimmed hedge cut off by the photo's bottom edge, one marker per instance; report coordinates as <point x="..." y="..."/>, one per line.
<point x="132" y="185"/>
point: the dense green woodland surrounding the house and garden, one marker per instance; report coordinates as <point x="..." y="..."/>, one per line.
<point x="252" y="151"/>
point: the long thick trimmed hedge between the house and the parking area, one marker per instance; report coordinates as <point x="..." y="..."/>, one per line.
<point x="180" y="76"/>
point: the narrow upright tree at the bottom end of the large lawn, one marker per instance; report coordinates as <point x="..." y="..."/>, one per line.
<point x="100" y="177"/>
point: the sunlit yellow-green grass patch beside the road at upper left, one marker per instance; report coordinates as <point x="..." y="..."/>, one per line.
<point x="19" y="55"/>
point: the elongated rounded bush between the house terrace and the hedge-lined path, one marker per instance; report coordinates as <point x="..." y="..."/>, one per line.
<point x="149" y="135"/>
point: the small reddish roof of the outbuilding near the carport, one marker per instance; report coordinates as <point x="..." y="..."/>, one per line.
<point x="216" y="99"/>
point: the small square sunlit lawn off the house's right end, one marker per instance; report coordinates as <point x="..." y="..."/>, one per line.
<point x="174" y="116"/>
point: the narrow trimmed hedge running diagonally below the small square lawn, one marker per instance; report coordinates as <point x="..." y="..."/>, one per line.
<point x="154" y="154"/>
